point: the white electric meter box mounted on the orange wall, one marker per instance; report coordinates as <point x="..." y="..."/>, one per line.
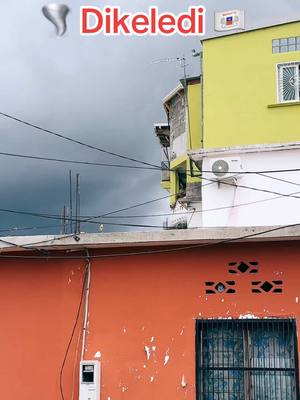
<point x="89" y="380"/>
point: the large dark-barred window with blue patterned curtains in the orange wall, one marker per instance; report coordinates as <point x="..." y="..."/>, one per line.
<point x="247" y="359"/>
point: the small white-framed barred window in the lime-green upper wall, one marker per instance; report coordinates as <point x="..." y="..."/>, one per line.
<point x="289" y="82"/>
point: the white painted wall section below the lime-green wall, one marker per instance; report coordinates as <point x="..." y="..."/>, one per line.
<point x="269" y="209"/>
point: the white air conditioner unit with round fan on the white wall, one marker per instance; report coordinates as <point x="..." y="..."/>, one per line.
<point x="225" y="169"/>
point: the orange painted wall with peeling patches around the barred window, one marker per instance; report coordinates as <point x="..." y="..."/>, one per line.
<point x="150" y="300"/>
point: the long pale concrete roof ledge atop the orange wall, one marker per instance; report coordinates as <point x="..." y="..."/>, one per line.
<point x="150" y="239"/>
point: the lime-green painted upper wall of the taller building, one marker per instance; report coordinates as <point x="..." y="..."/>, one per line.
<point x="240" y="83"/>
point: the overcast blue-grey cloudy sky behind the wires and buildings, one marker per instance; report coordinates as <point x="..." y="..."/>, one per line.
<point x="105" y="91"/>
